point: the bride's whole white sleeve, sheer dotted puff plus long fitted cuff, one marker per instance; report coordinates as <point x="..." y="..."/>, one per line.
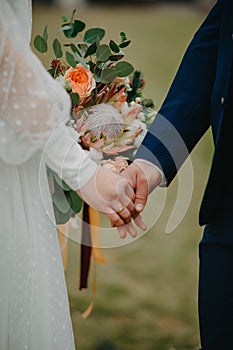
<point x="34" y="107"/>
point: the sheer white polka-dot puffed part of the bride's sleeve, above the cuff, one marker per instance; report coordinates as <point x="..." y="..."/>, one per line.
<point x="32" y="103"/>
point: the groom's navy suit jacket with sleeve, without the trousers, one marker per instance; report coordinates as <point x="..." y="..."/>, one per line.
<point x="198" y="99"/>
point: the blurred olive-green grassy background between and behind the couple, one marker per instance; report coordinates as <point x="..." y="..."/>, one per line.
<point x="146" y="295"/>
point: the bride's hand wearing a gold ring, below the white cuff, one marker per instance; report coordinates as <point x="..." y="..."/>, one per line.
<point x="112" y="195"/>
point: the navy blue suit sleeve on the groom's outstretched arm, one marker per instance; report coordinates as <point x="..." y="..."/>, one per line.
<point x="184" y="116"/>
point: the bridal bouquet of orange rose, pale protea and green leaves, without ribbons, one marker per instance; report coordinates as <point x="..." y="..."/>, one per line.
<point x="109" y="112"/>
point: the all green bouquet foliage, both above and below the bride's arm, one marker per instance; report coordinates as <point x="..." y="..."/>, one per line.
<point x="105" y="61"/>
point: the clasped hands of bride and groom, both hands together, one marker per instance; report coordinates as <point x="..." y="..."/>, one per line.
<point x="122" y="198"/>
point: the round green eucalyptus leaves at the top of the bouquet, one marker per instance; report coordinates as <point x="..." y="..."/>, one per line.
<point x="100" y="55"/>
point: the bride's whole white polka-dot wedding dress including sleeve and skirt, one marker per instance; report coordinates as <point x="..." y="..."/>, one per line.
<point x="34" y="308"/>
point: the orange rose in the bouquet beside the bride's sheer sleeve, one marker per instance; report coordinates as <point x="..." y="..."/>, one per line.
<point x="81" y="80"/>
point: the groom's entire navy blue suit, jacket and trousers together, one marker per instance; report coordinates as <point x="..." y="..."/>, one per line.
<point x="201" y="97"/>
